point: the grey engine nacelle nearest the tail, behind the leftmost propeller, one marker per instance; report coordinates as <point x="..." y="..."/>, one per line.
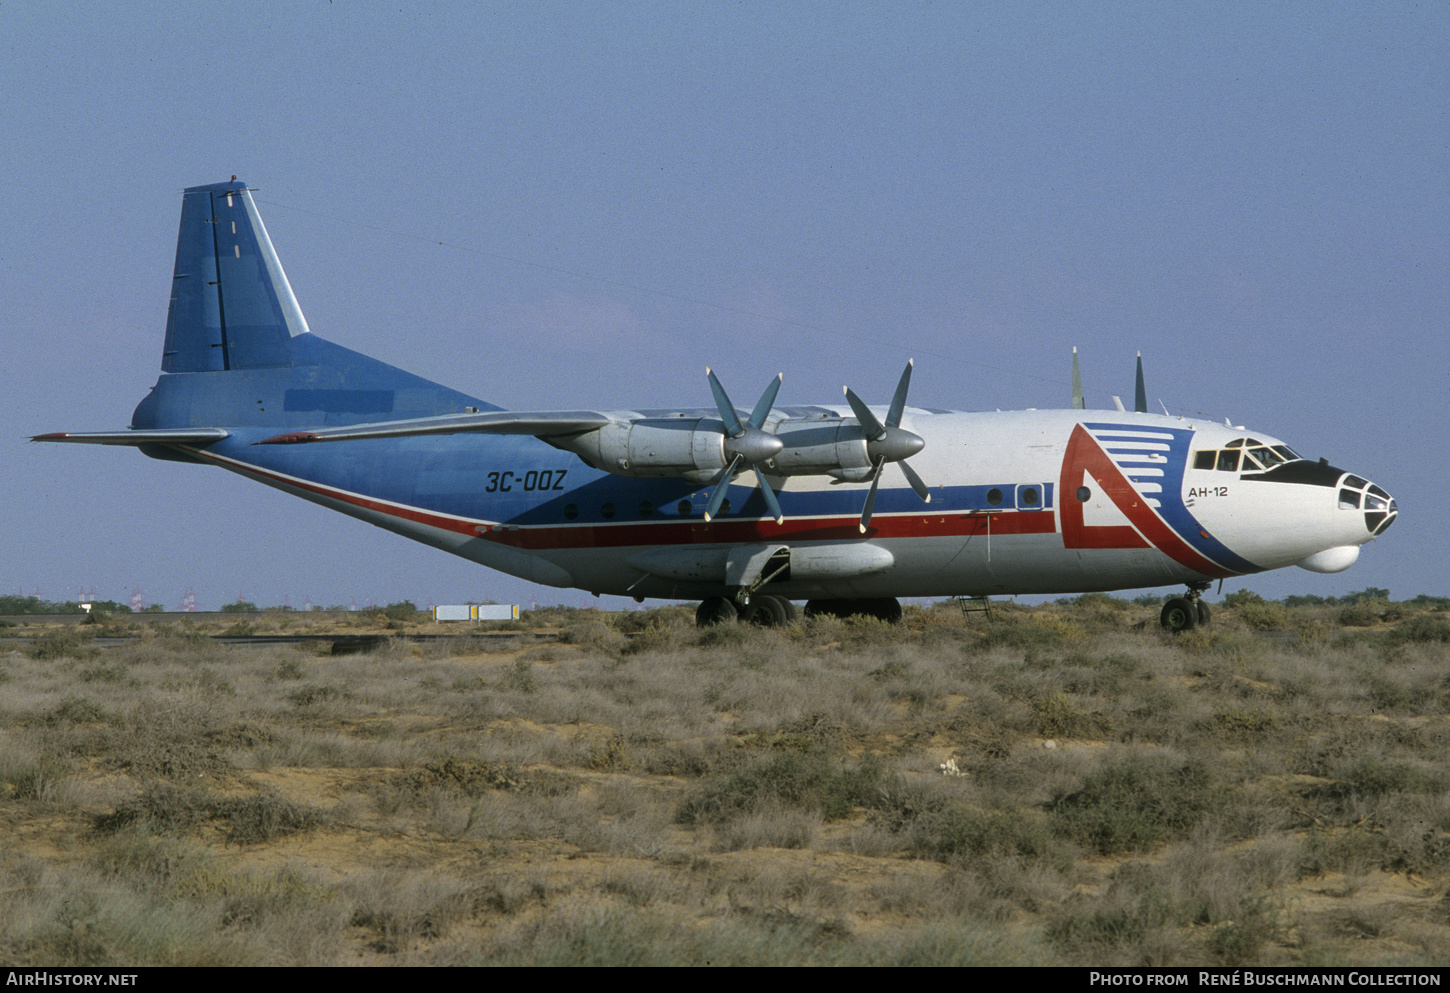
<point x="692" y="449"/>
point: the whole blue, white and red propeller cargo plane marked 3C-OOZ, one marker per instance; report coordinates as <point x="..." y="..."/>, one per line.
<point x="848" y="507"/>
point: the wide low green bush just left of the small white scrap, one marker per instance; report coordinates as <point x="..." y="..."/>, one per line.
<point x="803" y="781"/>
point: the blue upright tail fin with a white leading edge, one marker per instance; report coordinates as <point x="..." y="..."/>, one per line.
<point x="231" y="304"/>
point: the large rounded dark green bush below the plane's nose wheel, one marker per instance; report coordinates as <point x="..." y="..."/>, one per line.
<point x="1139" y="804"/>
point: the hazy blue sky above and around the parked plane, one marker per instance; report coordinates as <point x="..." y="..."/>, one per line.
<point x="582" y="205"/>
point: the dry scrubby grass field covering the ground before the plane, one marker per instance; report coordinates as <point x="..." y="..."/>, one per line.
<point x="1271" y="791"/>
